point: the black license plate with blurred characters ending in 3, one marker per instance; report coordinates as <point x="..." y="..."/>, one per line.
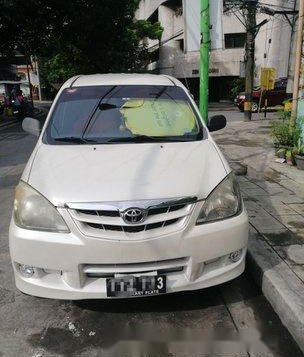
<point x="129" y="286"/>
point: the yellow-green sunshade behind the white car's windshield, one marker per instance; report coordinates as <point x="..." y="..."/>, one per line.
<point x="158" y="117"/>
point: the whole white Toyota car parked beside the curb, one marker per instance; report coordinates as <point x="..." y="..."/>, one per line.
<point x="125" y="194"/>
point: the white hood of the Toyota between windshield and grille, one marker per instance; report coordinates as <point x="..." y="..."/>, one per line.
<point x="126" y="172"/>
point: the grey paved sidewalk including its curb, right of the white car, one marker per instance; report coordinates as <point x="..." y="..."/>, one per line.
<point x="274" y="197"/>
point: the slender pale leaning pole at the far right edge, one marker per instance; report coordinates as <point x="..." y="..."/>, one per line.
<point x="298" y="61"/>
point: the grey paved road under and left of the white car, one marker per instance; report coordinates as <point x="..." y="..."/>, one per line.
<point x="231" y="318"/>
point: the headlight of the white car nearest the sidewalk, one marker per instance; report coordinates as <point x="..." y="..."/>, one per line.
<point x="224" y="201"/>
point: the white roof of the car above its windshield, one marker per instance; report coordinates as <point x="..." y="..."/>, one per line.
<point x="121" y="79"/>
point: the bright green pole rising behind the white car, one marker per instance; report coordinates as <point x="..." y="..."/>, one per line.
<point x="204" y="58"/>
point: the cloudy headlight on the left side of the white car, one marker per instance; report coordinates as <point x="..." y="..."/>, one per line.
<point x="33" y="211"/>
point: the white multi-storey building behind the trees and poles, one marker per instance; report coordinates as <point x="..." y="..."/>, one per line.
<point x="178" y="55"/>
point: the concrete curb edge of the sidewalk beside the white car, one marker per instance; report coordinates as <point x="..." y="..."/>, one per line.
<point x="279" y="284"/>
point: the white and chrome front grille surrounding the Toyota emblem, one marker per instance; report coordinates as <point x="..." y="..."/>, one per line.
<point x="107" y="221"/>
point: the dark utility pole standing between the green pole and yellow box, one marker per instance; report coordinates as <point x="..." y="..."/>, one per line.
<point x="250" y="7"/>
